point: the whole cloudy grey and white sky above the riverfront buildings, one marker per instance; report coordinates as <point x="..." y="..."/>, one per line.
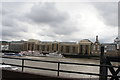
<point x="59" y="21"/>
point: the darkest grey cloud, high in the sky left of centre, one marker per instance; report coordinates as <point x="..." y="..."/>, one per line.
<point x="46" y="13"/>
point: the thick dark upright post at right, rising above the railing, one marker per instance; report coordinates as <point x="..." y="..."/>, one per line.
<point x="103" y="68"/>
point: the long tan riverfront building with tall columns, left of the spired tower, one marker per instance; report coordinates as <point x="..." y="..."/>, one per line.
<point x="62" y="47"/>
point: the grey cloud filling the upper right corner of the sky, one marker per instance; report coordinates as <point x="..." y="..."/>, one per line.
<point x="109" y="11"/>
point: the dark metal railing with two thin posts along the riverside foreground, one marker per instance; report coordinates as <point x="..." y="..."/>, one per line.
<point x="58" y="70"/>
